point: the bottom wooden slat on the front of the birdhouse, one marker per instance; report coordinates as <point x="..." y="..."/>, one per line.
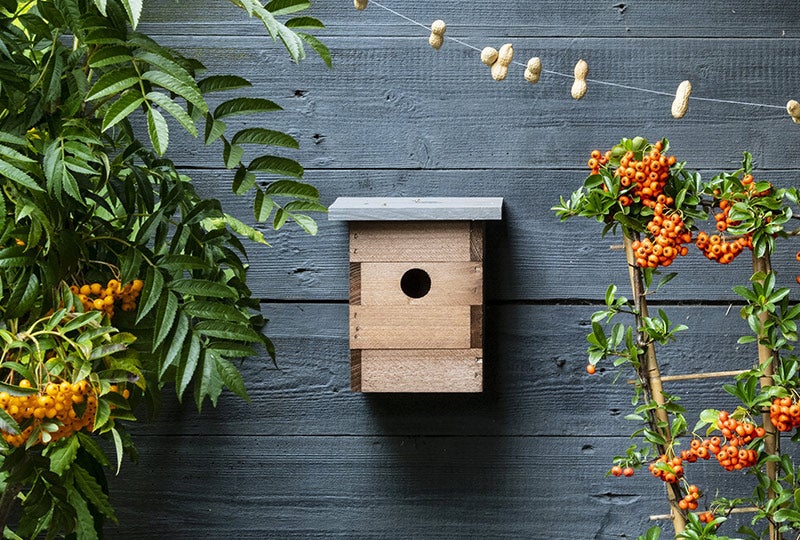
<point x="421" y="370"/>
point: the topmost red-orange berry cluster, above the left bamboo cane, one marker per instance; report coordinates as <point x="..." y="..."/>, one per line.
<point x="646" y="177"/>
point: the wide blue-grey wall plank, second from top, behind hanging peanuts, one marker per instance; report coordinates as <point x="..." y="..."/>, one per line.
<point x="396" y="103"/>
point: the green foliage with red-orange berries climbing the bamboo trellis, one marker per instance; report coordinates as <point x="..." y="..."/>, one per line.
<point x="748" y="214"/>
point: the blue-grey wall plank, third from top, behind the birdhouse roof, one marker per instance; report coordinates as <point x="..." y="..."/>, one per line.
<point x="530" y="255"/>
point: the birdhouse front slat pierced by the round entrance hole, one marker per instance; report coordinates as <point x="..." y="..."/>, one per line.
<point x="452" y="284"/>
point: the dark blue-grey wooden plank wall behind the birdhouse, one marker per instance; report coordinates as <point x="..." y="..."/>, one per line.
<point x="308" y="458"/>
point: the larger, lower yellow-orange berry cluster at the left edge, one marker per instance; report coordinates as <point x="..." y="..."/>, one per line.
<point x="52" y="404"/>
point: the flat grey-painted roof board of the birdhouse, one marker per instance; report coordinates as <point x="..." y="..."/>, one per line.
<point x="415" y="208"/>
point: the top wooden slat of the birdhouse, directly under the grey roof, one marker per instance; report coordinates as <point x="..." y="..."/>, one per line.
<point x="385" y="241"/>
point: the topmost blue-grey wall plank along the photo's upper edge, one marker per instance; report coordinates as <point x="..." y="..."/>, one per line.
<point x="648" y="18"/>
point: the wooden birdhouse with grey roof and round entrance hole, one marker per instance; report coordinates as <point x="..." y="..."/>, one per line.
<point x="416" y="292"/>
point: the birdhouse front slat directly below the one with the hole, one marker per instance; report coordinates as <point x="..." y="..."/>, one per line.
<point x="410" y="327"/>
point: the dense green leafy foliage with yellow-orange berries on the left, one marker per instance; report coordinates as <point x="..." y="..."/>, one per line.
<point x="116" y="276"/>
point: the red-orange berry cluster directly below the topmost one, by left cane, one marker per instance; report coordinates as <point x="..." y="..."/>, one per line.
<point x="669" y="236"/>
